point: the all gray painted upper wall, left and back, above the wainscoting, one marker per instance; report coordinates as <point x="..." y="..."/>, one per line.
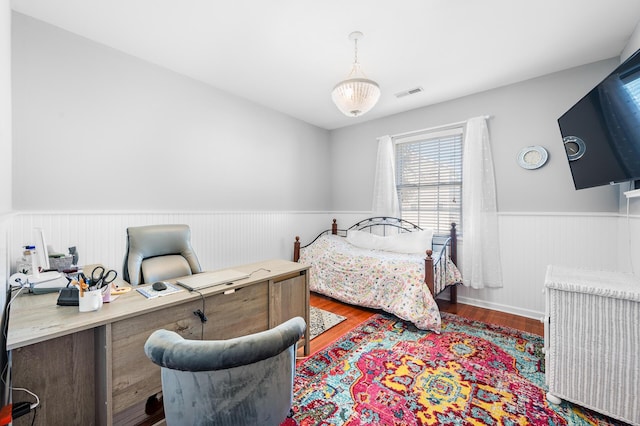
<point x="88" y="118"/>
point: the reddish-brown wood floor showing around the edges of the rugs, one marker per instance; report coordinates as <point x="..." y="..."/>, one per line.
<point x="356" y="315"/>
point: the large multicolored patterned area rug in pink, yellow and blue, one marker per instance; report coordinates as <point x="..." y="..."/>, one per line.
<point x="387" y="372"/>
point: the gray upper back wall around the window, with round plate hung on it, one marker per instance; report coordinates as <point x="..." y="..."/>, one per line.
<point x="522" y="114"/>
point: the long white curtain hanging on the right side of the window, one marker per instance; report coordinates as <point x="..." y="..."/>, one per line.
<point x="481" y="265"/>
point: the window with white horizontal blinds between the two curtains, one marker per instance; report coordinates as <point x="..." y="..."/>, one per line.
<point x="429" y="178"/>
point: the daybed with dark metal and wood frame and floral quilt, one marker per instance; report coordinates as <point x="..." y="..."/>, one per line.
<point x="384" y="263"/>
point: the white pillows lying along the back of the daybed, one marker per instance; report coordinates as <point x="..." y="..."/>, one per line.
<point x="407" y="242"/>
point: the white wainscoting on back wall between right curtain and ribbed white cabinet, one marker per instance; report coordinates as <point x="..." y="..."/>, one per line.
<point x="529" y="242"/>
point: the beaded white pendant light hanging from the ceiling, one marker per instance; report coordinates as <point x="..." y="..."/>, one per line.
<point x="357" y="94"/>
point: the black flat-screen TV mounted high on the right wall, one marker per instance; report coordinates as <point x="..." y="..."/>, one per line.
<point x="601" y="132"/>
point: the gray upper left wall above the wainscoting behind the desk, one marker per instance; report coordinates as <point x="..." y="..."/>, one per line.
<point x="96" y="129"/>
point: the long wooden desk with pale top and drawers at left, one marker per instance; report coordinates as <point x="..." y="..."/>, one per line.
<point x="89" y="367"/>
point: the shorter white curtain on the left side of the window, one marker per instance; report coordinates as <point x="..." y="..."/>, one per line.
<point x="385" y="195"/>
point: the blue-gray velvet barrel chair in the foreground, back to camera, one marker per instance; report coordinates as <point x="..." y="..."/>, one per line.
<point x="243" y="381"/>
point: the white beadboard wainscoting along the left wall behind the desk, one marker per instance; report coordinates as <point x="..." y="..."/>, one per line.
<point x="220" y="239"/>
